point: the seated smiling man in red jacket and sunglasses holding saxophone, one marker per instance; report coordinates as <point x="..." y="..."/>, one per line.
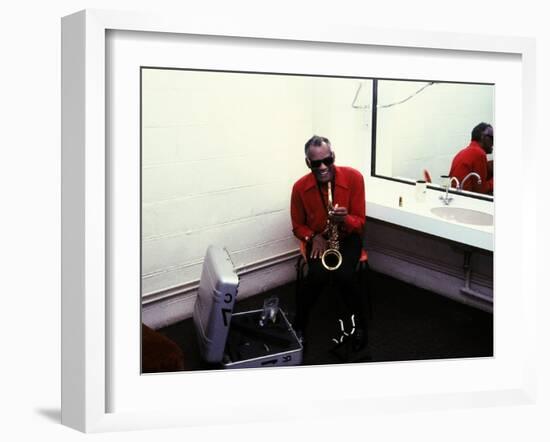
<point x="309" y="213"/>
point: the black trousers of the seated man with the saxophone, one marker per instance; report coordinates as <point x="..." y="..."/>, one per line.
<point x="343" y="278"/>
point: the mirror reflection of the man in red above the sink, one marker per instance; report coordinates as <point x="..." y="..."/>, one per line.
<point x="473" y="158"/>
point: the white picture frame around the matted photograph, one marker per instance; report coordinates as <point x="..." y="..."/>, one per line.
<point x="85" y="211"/>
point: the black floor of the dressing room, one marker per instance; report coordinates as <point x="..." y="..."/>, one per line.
<point x="406" y="323"/>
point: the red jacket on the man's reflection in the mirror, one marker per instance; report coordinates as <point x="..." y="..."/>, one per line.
<point x="472" y="159"/>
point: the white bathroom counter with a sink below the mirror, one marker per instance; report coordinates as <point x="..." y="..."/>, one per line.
<point x="383" y="204"/>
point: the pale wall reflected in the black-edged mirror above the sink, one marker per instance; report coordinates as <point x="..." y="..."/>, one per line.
<point x="422" y="125"/>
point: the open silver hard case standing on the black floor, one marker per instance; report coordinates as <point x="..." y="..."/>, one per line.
<point x="256" y="338"/>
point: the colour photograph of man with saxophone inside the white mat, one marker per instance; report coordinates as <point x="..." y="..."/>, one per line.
<point x="265" y="242"/>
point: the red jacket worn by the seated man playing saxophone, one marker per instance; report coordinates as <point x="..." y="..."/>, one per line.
<point x="308" y="213"/>
